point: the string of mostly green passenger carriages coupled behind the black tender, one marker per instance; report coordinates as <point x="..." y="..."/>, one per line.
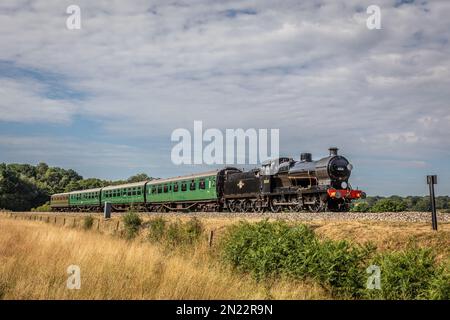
<point x="192" y="192"/>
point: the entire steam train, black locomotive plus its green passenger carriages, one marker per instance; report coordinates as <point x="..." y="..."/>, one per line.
<point x="280" y="184"/>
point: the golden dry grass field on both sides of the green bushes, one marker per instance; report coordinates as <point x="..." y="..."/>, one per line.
<point x="35" y="254"/>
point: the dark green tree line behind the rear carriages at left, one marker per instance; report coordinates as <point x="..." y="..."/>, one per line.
<point x="24" y="186"/>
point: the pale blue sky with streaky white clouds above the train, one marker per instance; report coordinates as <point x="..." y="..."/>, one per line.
<point x="105" y="99"/>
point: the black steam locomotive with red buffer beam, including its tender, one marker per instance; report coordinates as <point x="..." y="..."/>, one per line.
<point x="285" y="184"/>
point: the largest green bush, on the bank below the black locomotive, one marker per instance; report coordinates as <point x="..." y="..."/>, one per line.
<point x="267" y="249"/>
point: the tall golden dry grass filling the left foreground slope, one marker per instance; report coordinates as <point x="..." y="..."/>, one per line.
<point x="34" y="257"/>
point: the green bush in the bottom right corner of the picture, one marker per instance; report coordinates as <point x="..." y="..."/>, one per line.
<point x="411" y="274"/>
